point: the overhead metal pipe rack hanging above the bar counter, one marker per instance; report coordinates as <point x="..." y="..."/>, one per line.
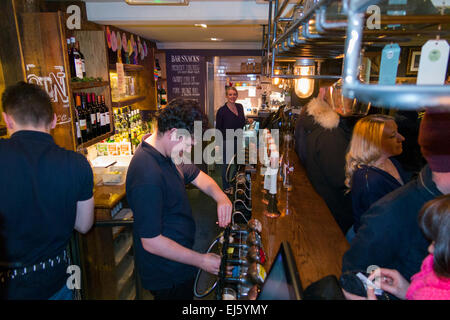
<point x="408" y="97"/>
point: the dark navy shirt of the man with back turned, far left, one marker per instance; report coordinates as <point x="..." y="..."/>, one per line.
<point x="41" y="184"/>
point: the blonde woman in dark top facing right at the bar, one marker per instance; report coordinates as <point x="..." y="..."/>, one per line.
<point x="371" y="171"/>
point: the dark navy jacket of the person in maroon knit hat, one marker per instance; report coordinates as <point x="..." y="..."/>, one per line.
<point x="389" y="236"/>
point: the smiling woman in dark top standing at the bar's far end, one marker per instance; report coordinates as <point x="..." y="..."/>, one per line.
<point x="229" y="116"/>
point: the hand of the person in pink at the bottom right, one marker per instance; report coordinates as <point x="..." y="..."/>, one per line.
<point x="391" y="281"/>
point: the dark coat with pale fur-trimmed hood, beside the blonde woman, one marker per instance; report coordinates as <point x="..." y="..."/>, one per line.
<point x="326" y="145"/>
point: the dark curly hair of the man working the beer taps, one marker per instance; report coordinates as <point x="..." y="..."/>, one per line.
<point x="180" y="114"/>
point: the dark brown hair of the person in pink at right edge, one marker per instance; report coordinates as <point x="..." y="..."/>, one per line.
<point x="434" y="220"/>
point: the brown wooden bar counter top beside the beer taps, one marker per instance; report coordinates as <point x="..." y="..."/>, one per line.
<point x="317" y="242"/>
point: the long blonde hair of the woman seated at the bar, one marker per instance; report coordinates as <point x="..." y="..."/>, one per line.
<point x="365" y="146"/>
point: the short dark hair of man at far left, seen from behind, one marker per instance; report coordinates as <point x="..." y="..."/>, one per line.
<point x="27" y="104"/>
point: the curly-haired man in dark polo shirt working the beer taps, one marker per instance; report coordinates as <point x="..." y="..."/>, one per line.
<point x="164" y="228"/>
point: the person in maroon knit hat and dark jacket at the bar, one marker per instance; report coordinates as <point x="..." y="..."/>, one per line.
<point x="389" y="235"/>
